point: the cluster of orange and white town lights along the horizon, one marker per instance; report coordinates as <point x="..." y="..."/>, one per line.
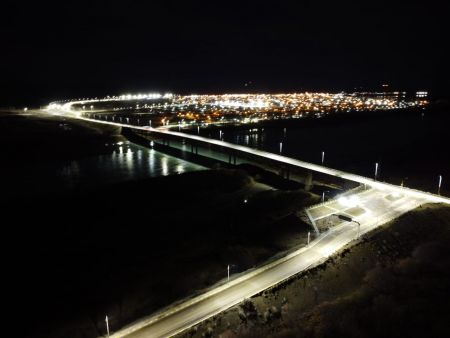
<point x="237" y="108"/>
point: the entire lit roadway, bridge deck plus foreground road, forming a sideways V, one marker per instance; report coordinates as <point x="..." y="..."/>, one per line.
<point x="178" y="318"/>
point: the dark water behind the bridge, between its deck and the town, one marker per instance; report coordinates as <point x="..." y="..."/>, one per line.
<point x="409" y="146"/>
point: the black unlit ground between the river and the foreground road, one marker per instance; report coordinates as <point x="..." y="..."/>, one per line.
<point x="133" y="248"/>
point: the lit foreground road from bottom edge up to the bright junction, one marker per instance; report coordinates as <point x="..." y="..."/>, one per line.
<point x="185" y="315"/>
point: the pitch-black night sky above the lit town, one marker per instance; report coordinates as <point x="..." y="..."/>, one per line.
<point x="75" y="48"/>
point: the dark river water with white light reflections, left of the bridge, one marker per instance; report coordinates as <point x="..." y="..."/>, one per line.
<point x="126" y="161"/>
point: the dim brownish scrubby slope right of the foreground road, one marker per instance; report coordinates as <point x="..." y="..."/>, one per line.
<point x="394" y="282"/>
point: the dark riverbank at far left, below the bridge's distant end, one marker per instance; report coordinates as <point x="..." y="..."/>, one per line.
<point x="51" y="137"/>
